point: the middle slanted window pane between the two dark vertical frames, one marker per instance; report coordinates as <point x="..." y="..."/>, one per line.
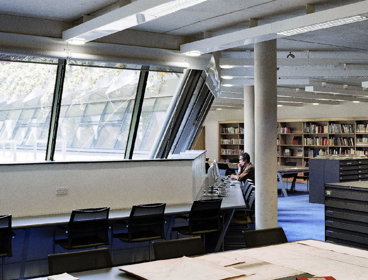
<point x="95" y="113"/>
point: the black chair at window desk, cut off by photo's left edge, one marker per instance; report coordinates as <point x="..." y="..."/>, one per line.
<point x="6" y="236"/>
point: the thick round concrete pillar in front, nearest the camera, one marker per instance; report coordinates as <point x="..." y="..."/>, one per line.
<point x="265" y="77"/>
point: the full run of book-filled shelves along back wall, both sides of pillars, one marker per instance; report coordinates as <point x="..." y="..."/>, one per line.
<point x="300" y="140"/>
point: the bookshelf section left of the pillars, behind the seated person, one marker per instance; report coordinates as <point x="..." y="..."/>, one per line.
<point x="231" y="141"/>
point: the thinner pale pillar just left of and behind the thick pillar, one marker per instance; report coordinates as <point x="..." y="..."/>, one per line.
<point x="249" y="121"/>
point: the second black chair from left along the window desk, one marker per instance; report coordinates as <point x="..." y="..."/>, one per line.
<point x="86" y="228"/>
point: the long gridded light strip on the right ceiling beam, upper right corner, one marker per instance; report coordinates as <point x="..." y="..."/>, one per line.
<point x="323" y="25"/>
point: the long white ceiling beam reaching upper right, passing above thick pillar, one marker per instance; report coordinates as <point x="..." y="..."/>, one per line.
<point x="272" y="30"/>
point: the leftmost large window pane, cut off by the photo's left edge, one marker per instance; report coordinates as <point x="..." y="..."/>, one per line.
<point x="26" y="91"/>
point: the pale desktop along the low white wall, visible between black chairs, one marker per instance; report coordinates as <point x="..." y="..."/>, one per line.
<point x="233" y="200"/>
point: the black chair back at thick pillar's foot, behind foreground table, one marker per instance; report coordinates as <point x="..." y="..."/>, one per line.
<point x="264" y="237"/>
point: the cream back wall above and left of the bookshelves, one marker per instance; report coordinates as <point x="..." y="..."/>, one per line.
<point x="345" y="110"/>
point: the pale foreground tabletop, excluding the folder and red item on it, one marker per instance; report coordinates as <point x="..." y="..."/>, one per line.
<point x="279" y="262"/>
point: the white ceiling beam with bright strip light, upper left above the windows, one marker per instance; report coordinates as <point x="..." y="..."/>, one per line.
<point x="133" y="14"/>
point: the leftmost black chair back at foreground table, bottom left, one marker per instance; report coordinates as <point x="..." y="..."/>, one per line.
<point x="79" y="261"/>
